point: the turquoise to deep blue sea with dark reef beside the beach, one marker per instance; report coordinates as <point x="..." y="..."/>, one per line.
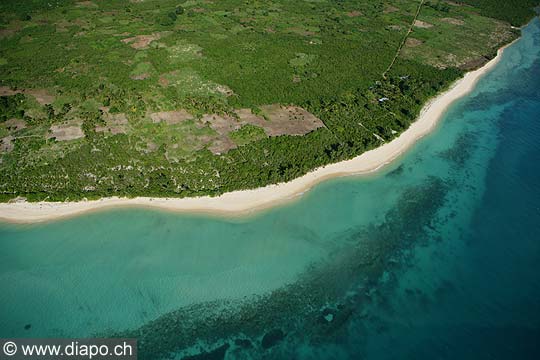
<point x="435" y="257"/>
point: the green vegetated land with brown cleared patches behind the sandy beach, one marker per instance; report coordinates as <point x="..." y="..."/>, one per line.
<point x="143" y="98"/>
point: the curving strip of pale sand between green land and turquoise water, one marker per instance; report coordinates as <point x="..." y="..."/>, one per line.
<point x="246" y="202"/>
